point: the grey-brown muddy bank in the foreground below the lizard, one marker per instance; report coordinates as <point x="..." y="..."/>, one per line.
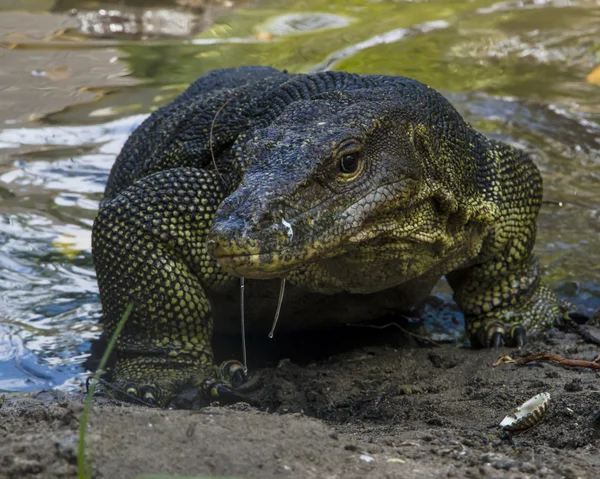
<point x="377" y="411"/>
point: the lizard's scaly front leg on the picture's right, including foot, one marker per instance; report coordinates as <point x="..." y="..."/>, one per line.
<point x="500" y="291"/>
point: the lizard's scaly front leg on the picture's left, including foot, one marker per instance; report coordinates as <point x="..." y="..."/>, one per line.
<point x="149" y="248"/>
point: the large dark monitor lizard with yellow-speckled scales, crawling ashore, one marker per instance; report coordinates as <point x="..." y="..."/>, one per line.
<point x="341" y="184"/>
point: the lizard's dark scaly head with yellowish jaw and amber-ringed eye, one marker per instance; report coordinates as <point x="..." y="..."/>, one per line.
<point x="349" y="175"/>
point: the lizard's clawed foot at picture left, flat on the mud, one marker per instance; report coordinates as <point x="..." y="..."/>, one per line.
<point x="158" y="383"/>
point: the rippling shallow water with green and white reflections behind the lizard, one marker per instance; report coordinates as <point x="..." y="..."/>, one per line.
<point x="74" y="83"/>
